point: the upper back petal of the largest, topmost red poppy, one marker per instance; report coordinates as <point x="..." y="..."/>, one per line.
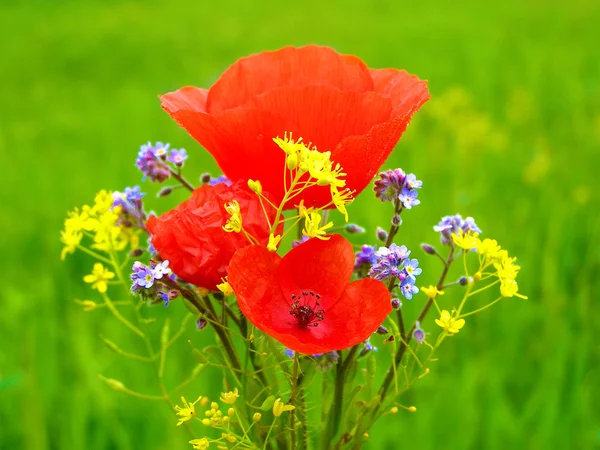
<point x="311" y="65"/>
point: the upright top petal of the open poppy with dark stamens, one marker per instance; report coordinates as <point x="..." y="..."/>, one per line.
<point x="324" y="267"/>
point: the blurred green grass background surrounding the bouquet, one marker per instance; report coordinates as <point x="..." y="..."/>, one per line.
<point x="511" y="136"/>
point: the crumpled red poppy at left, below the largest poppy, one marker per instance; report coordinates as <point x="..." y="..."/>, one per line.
<point x="191" y="236"/>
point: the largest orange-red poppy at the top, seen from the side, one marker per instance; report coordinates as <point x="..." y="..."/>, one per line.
<point x="334" y="101"/>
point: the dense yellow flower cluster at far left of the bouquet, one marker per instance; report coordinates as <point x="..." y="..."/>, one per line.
<point x="100" y="222"/>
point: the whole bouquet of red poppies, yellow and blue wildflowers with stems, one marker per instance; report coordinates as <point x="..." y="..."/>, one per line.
<point x="259" y="256"/>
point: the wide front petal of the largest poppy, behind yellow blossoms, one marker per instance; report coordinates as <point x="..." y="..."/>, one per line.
<point x="309" y="111"/>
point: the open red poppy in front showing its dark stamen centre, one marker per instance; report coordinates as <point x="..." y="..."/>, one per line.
<point x="305" y="300"/>
